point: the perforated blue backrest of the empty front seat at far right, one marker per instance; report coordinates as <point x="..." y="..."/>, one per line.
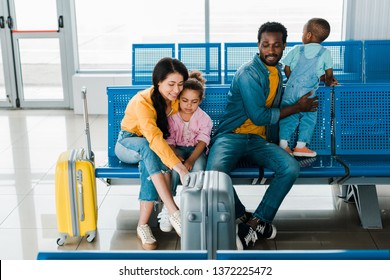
<point x="362" y="119"/>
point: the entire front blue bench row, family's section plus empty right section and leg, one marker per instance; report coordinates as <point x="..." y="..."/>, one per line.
<point x="351" y="138"/>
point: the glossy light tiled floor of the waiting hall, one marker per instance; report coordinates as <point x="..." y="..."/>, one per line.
<point x="311" y="217"/>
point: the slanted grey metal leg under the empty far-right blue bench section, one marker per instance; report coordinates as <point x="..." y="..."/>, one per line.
<point x="366" y="199"/>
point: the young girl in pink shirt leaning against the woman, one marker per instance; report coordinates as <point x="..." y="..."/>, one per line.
<point x="190" y="131"/>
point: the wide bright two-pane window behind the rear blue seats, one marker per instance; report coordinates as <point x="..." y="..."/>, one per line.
<point x="107" y="30"/>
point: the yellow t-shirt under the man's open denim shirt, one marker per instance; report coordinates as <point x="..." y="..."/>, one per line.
<point x="248" y="127"/>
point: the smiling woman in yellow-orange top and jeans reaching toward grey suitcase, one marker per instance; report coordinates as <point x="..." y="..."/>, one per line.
<point x="143" y="139"/>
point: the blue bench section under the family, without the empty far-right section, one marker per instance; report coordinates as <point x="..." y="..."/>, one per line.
<point x="324" y="165"/>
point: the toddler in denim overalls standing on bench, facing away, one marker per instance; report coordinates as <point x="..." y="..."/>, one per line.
<point x="305" y="66"/>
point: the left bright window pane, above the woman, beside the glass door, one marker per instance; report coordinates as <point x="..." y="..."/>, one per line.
<point x="105" y="36"/>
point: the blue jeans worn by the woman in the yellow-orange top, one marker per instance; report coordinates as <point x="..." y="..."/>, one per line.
<point x="133" y="149"/>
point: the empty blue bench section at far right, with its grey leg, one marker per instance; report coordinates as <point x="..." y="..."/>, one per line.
<point x="362" y="143"/>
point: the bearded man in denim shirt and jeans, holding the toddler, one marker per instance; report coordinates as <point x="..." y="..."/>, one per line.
<point x="251" y="116"/>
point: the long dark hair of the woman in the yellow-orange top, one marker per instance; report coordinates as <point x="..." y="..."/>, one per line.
<point x="162" y="69"/>
